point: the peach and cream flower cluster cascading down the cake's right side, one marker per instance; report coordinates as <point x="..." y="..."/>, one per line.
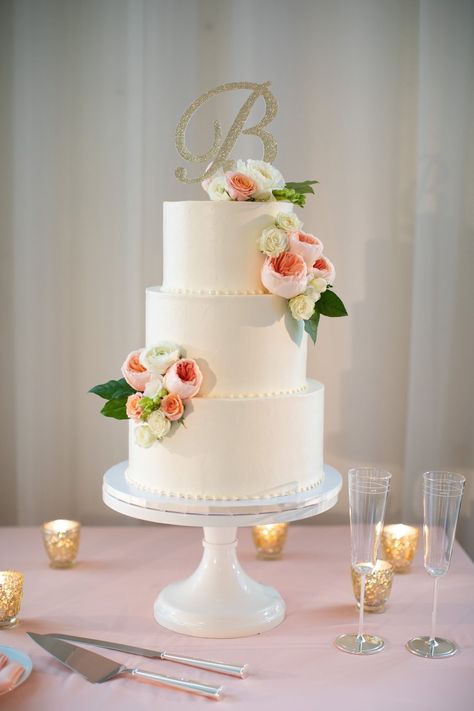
<point x="296" y="269"/>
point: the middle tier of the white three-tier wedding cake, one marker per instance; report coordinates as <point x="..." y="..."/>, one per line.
<point x="246" y="346"/>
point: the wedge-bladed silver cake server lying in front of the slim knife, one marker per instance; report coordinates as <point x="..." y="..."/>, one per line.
<point x="97" y="669"/>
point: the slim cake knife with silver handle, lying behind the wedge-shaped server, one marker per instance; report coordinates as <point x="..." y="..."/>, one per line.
<point x="220" y="667"/>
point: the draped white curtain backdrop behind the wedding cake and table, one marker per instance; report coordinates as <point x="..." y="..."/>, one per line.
<point x="376" y="101"/>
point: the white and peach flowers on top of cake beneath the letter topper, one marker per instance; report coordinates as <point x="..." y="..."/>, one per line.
<point x="256" y="180"/>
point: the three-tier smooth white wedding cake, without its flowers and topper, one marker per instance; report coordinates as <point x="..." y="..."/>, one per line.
<point x="255" y="429"/>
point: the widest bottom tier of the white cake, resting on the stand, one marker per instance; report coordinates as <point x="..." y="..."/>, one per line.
<point x="232" y="448"/>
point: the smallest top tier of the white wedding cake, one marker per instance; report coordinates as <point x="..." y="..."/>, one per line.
<point x="211" y="247"/>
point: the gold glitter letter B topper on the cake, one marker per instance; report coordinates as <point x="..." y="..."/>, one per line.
<point x="221" y="148"/>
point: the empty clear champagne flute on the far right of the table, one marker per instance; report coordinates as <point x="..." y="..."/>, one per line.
<point x="442" y="496"/>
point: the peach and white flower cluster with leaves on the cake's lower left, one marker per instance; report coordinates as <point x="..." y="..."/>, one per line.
<point x="157" y="382"/>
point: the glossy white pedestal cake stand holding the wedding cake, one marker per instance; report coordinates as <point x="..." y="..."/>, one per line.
<point x="219" y="599"/>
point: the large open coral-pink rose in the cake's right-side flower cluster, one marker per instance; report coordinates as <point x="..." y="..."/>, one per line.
<point x="285" y="275"/>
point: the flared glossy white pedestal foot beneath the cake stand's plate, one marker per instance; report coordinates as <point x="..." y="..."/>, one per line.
<point x="219" y="599"/>
